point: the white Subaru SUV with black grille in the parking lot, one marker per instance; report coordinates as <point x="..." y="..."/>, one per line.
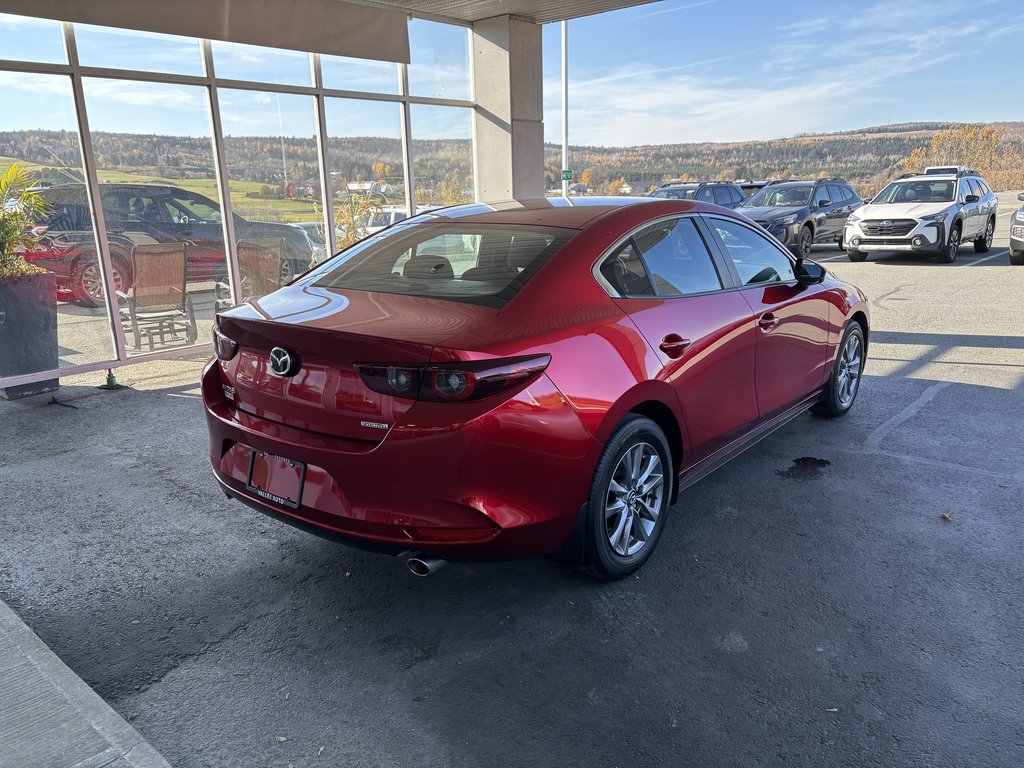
<point x="933" y="212"/>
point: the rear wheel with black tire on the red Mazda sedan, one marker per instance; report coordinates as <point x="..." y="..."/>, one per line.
<point x="629" y="499"/>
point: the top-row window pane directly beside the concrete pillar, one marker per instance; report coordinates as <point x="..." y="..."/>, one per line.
<point x="440" y="60"/>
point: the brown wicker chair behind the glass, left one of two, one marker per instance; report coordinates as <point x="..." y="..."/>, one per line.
<point x="159" y="306"/>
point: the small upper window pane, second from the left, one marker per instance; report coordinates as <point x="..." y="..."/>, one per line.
<point x="124" y="50"/>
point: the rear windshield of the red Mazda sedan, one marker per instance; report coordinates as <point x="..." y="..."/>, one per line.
<point x="480" y="265"/>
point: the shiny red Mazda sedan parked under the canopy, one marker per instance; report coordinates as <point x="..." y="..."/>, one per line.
<point x="536" y="377"/>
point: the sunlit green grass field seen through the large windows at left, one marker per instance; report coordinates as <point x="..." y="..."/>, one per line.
<point x="255" y="208"/>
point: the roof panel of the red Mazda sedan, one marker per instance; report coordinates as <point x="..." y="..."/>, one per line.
<point x="571" y="214"/>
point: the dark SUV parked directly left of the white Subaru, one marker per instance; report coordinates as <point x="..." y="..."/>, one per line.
<point x="802" y="214"/>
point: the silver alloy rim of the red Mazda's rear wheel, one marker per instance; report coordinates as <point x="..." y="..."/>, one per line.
<point x="634" y="499"/>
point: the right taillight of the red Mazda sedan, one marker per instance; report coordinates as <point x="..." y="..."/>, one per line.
<point x="452" y="382"/>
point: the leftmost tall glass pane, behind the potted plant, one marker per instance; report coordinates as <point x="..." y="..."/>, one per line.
<point x="57" y="319"/>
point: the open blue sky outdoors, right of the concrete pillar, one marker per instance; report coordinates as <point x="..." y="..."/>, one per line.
<point x="738" y="70"/>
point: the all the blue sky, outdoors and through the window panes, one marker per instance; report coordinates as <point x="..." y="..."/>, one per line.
<point x="667" y="72"/>
